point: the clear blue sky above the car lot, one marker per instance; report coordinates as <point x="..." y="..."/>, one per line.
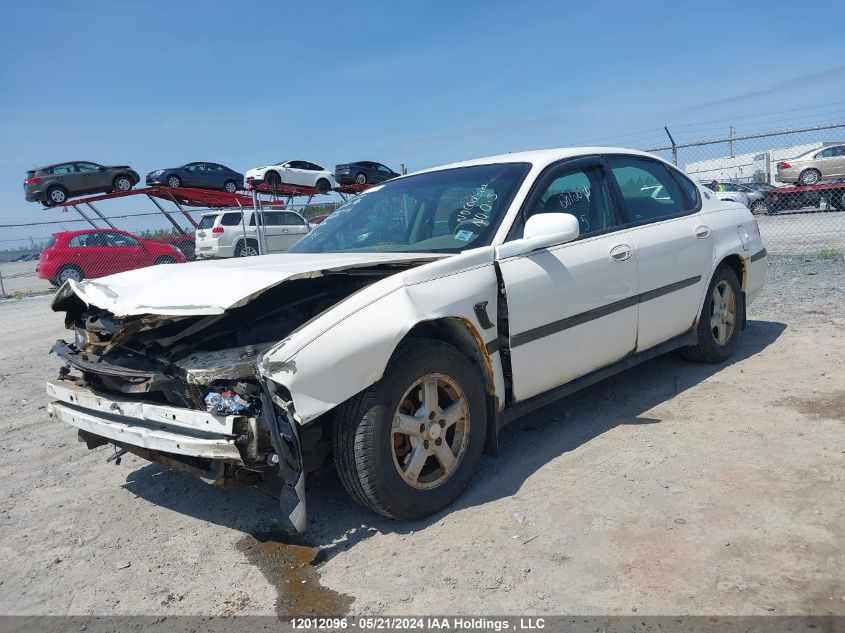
<point x="155" y="84"/>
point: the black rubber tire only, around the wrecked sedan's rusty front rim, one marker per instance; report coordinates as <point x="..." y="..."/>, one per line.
<point x="363" y="443"/>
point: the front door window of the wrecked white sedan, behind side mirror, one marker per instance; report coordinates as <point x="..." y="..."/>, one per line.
<point x="581" y="192"/>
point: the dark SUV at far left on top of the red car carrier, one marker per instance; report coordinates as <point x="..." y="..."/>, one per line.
<point x="54" y="184"/>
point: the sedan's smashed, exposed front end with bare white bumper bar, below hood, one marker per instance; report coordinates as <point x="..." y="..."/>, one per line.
<point x="184" y="389"/>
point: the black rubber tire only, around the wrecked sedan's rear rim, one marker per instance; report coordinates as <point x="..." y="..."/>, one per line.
<point x="709" y="349"/>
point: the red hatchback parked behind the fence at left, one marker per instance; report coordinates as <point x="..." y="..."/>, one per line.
<point x="99" y="252"/>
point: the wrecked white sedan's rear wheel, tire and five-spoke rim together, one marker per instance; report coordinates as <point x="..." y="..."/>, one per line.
<point x="721" y="319"/>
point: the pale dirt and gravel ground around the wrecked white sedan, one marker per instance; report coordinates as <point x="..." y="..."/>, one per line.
<point x="674" y="488"/>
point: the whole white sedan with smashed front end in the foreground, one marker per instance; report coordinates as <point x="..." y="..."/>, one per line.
<point x="410" y="326"/>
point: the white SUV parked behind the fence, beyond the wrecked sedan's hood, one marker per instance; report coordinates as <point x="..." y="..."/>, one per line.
<point x="234" y="234"/>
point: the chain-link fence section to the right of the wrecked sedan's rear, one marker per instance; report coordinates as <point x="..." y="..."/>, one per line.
<point x="793" y="180"/>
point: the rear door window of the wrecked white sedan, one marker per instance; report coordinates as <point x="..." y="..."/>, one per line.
<point x="650" y="192"/>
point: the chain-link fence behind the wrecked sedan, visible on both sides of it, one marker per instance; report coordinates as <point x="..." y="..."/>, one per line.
<point x="793" y="180"/>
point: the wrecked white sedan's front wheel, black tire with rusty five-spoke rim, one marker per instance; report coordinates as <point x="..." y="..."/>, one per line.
<point x="408" y="446"/>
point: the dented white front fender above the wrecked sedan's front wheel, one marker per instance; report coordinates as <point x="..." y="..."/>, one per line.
<point x="346" y="350"/>
